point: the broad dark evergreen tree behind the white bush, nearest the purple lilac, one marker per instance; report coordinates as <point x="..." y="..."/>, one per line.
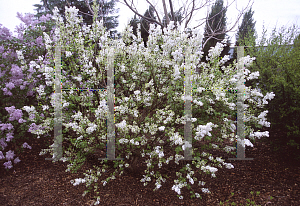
<point x="110" y="22"/>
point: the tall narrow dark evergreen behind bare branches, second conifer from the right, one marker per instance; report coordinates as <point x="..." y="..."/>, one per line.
<point x="215" y="24"/>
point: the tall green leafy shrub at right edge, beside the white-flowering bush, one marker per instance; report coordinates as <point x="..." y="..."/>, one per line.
<point x="278" y="65"/>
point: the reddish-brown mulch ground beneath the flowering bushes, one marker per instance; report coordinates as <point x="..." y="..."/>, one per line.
<point x="35" y="181"/>
